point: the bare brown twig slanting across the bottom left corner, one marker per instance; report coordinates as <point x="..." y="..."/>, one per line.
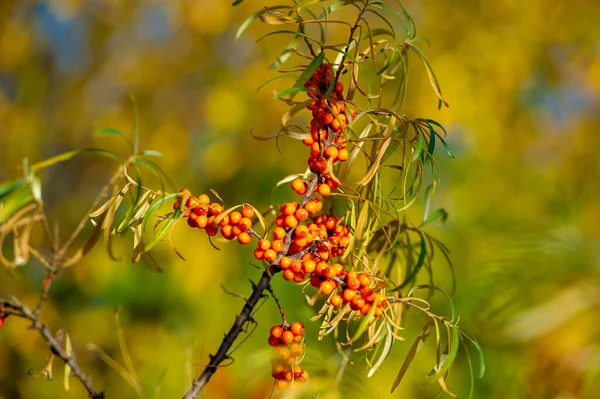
<point x="20" y="310"/>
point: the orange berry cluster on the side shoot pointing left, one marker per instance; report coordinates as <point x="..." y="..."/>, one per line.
<point x="202" y="214"/>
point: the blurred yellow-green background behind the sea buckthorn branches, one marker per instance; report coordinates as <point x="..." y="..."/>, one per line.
<point x="523" y="83"/>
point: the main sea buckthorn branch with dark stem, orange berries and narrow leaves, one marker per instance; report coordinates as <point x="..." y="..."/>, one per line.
<point x="365" y="260"/>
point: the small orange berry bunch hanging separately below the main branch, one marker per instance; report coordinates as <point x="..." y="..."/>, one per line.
<point x="287" y="355"/>
